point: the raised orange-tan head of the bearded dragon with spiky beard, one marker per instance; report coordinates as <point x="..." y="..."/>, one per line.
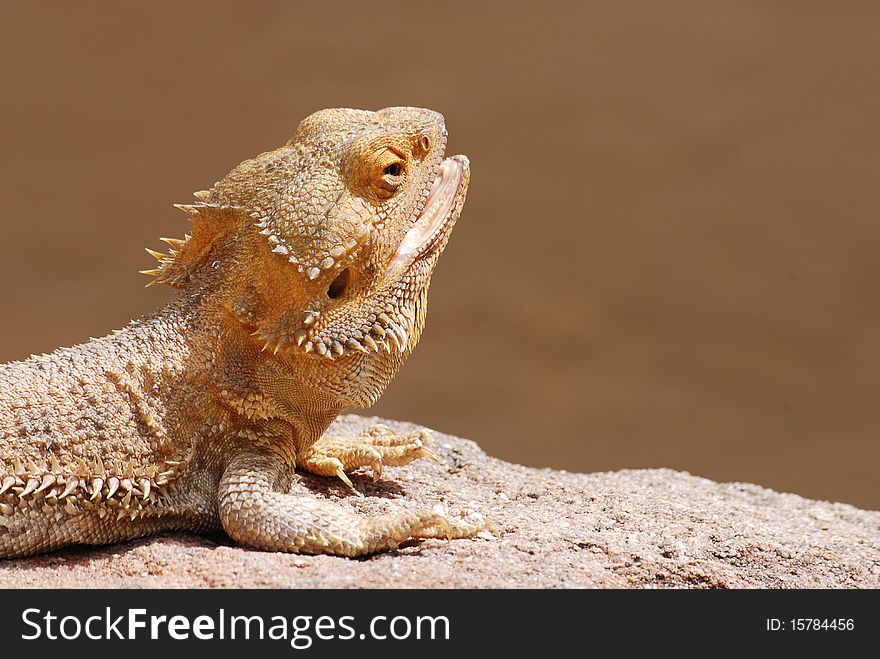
<point x="324" y="248"/>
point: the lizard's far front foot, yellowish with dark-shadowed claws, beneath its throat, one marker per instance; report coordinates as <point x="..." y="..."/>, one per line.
<point x="376" y="446"/>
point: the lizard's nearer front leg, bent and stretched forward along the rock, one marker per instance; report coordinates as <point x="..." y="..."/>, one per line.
<point x="257" y="511"/>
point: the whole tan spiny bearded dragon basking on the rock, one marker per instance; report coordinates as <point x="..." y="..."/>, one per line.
<point x="303" y="288"/>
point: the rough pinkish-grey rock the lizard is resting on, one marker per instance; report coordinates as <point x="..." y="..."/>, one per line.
<point x="633" y="528"/>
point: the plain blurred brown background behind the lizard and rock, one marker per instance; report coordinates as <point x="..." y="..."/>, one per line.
<point x="669" y="255"/>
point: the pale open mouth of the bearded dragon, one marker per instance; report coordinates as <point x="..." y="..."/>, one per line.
<point x="441" y="209"/>
